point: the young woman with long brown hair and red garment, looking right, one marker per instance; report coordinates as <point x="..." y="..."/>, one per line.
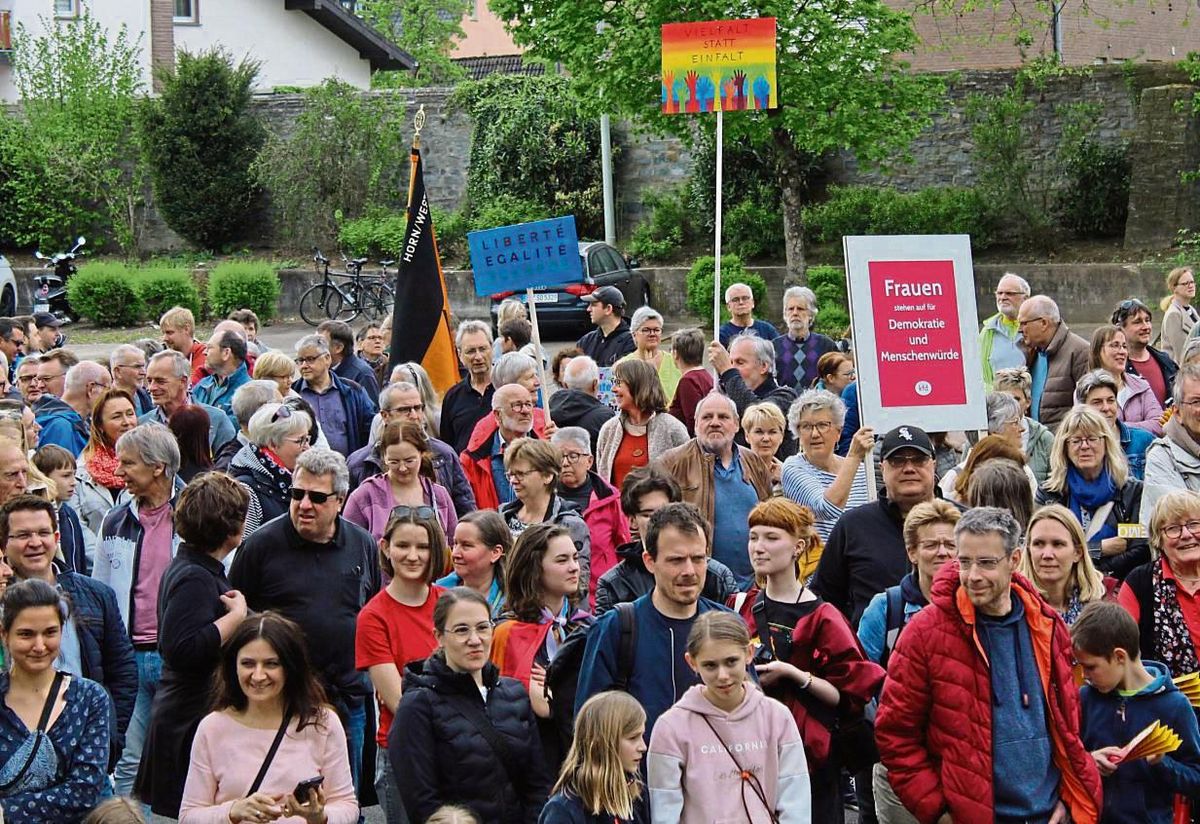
<point x="543" y="584"/>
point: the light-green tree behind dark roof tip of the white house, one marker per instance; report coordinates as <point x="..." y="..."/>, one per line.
<point x="427" y="29"/>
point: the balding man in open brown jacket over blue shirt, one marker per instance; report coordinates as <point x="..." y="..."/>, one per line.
<point x="712" y="466"/>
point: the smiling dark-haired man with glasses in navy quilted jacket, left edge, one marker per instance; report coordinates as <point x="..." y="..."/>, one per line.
<point x="94" y="643"/>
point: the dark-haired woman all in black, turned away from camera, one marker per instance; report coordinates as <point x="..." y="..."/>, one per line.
<point x="197" y="611"/>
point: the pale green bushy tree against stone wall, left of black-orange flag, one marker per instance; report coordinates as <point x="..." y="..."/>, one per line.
<point x="345" y="155"/>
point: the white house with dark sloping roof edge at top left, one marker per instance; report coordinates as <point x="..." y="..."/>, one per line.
<point x="297" y="43"/>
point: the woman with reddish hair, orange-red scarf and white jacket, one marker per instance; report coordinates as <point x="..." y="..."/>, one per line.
<point x="99" y="485"/>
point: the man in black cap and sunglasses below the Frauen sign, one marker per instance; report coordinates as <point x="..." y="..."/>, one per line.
<point x="866" y="552"/>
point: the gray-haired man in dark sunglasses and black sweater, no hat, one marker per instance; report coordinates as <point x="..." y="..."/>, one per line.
<point x="319" y="570"/>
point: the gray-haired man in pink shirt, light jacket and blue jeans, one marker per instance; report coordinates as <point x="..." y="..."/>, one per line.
<point x="137" y="544"/>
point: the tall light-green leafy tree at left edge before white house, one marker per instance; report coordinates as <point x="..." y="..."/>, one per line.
<point x="65" y="153"/>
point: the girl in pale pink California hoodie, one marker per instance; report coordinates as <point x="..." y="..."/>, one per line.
<point x="725" y="753"/>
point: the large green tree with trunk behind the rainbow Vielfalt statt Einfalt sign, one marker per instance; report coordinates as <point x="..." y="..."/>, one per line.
<point x="842" y="86"/>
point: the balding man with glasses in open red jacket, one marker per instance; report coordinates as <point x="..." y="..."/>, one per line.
<point x="483" y="461"/>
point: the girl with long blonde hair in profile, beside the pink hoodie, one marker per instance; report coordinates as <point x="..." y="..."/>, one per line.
<point x="601" y="780"/>
